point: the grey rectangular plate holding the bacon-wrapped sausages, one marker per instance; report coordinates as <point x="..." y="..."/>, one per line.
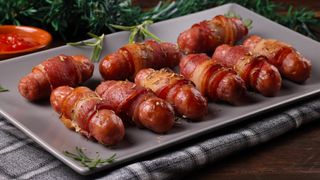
<point x="42" y="124"/>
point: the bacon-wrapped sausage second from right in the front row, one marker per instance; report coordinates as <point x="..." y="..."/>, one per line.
<point x="256" y="72"/>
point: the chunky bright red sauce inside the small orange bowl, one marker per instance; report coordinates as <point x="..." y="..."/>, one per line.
<point x="14" y="42"/>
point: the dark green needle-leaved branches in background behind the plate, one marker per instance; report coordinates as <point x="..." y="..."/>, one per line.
<point x="73" y="19"/>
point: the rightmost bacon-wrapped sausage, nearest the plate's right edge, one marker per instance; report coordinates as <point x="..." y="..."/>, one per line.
<point x="290" y="63"/>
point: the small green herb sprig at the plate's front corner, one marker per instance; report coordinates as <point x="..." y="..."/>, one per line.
<point x="86" y="161"/>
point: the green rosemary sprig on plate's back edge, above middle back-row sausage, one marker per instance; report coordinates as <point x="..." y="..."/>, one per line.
<point x="138" y="32"/>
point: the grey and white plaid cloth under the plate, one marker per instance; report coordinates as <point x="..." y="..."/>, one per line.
<point x="21" y="158"/>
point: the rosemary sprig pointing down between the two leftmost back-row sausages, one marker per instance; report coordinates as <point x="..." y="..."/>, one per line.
<point x="97" y="46"/>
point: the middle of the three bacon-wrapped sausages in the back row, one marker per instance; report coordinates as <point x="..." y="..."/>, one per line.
<point x="128" y="60"/>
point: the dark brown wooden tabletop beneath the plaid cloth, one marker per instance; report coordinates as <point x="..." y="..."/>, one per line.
<point x="295" y="155"/>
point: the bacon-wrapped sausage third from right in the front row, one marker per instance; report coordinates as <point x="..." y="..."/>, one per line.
<point x="212" y="79"/>
